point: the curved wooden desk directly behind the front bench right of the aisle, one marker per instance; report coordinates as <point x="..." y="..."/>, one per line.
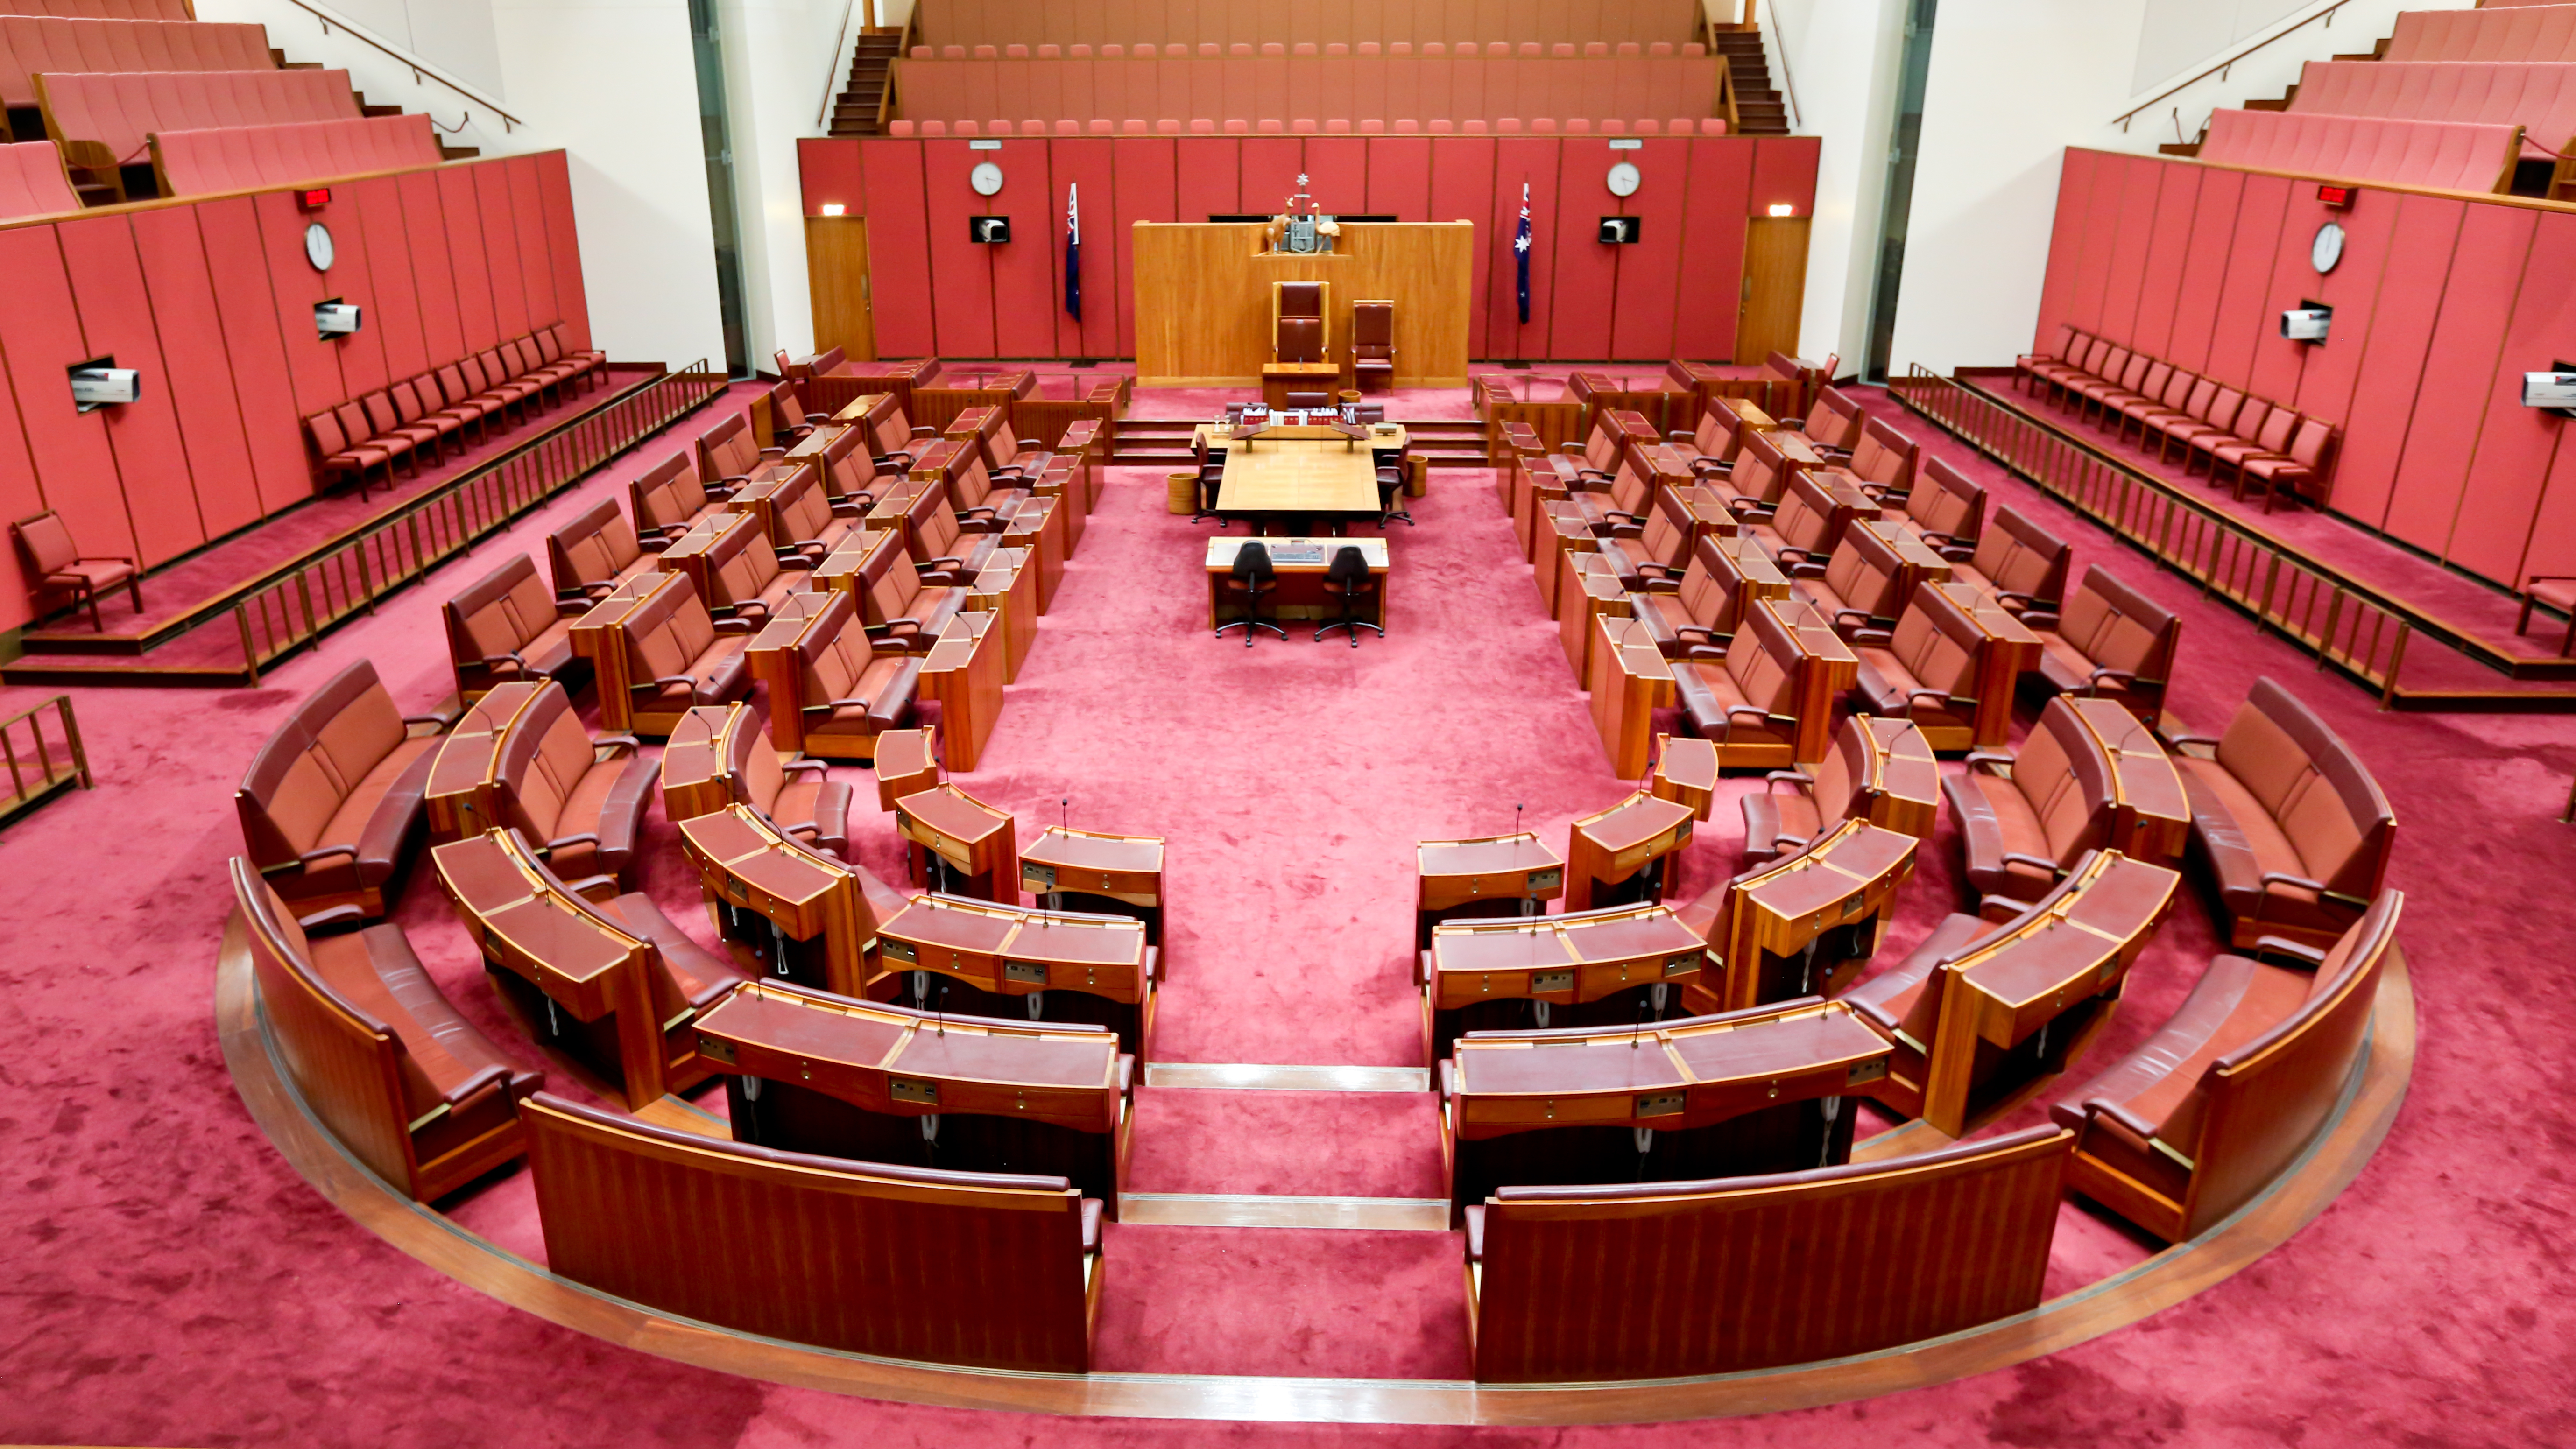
<point x="1740" y="1095"/>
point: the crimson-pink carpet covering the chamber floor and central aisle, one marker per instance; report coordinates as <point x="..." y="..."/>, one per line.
<point x="174" y="1283"/>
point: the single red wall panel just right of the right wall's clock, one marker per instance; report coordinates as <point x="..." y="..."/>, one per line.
<point x="2423" y="243"/>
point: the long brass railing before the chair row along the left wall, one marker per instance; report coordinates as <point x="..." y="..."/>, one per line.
<point x="321" y="593"/>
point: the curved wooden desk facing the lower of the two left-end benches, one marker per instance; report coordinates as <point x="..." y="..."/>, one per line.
<point x="527" y="925"/>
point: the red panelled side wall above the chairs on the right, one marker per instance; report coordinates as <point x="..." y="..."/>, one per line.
<point x="2441" y="305"/>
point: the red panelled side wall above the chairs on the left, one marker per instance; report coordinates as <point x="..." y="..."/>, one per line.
<point x="213" y="302"/>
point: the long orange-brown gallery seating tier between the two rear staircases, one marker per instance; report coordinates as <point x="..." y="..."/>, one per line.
<point x="1243" y="89"/>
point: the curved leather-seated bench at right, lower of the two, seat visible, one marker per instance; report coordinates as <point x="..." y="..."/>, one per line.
<point x="2211" y="1108"/>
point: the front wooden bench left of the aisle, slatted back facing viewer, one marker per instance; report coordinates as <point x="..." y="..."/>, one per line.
<point x="1016" y="1257"/>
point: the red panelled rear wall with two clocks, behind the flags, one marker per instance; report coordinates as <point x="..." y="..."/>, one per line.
<point x="1671" y="295"/>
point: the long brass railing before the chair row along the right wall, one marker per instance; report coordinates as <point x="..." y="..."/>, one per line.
<point x="2307" y="606"/>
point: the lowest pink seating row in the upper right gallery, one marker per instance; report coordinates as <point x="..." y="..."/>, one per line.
<point x="2456" y="156"/>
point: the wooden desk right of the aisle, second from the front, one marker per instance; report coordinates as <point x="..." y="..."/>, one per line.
<point x="1583" y="969"/>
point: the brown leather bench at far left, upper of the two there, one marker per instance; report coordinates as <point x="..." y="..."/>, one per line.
<point x="331" y="802"/>
